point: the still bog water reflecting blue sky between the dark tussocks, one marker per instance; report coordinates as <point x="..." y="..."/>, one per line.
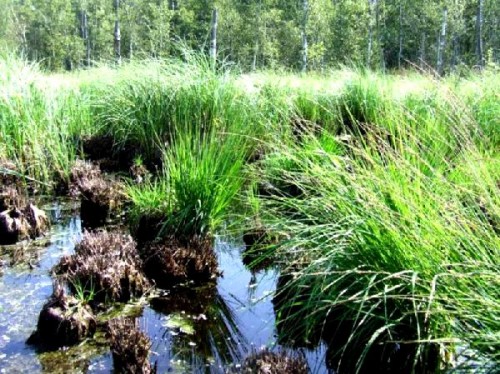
<point x="205" y="330"/>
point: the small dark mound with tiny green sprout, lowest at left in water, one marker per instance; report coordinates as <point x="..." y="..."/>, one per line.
<point x="63" y="321"/>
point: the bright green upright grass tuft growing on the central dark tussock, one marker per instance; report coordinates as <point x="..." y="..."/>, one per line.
<point x="202" y="175"/>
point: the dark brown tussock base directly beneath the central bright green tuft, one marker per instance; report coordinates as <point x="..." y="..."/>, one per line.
<point x="174" y="261"/>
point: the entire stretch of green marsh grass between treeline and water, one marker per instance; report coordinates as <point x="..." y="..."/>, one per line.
<point x="384" y="189"/>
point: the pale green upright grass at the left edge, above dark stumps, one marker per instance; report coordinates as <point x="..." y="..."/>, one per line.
<point x="39" y="120"/>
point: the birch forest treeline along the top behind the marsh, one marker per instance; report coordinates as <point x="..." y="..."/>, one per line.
<point x="254" y="34"/>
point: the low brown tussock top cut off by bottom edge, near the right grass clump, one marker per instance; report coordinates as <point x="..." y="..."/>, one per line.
<point x="267" y="362"/>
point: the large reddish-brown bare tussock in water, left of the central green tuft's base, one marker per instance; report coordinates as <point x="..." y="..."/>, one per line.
<point x="105" y="267"/>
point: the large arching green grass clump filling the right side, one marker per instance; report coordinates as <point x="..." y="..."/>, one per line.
<point x="395" y="233"/>
